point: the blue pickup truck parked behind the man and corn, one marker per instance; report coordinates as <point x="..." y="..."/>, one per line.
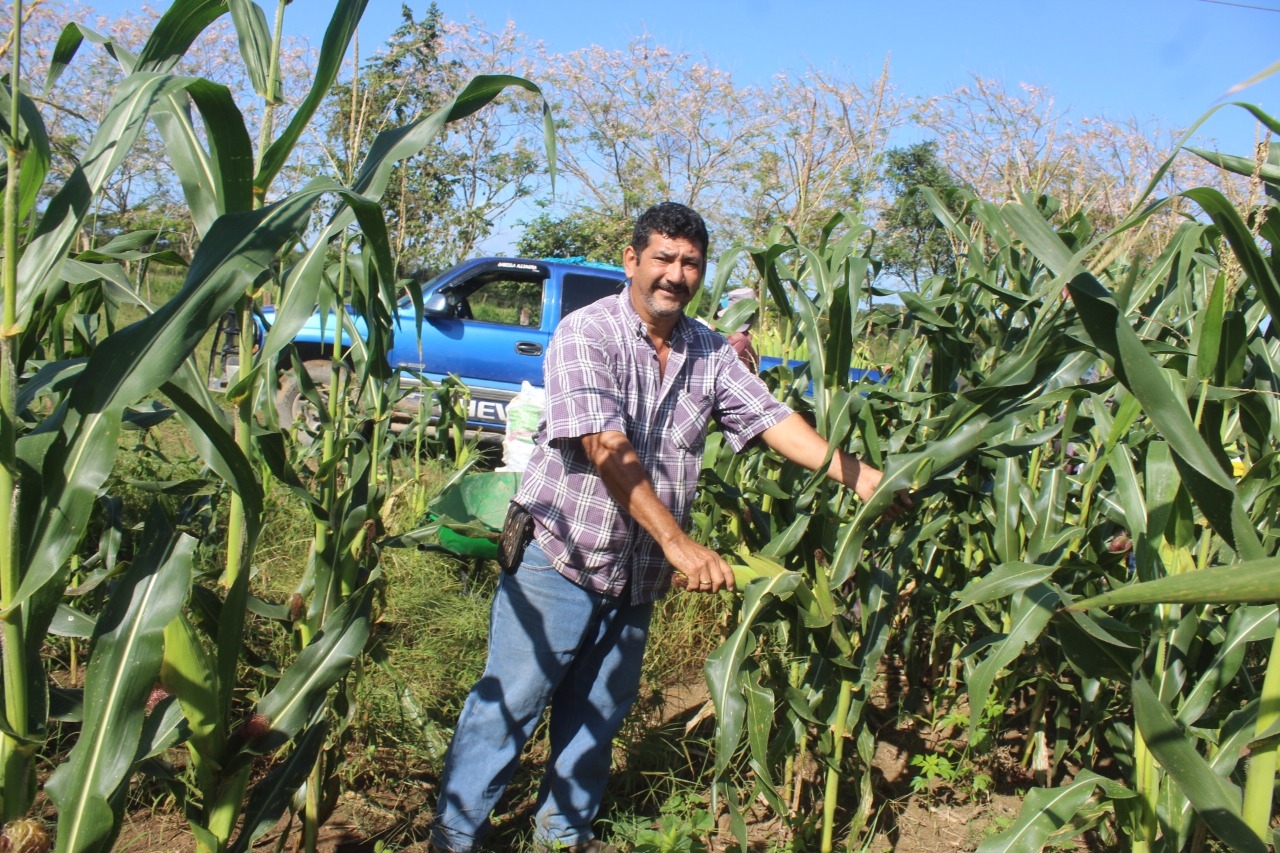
<point x="486" y="321"/>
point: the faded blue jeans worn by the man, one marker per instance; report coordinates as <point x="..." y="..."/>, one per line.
<point x="551" y="642"/>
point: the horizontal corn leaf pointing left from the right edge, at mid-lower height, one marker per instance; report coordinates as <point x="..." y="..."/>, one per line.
<point x="1256" y="582"/>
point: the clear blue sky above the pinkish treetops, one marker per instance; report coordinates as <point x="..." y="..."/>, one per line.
<point x="1165" y="61"/>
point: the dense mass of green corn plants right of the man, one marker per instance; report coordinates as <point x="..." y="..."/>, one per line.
<point x="1071" y="419"/>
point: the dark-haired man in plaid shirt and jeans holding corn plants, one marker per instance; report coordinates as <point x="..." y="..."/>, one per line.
<point x="632" y="387"/>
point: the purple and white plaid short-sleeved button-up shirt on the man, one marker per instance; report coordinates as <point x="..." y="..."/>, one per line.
<point x="602" y="375"/>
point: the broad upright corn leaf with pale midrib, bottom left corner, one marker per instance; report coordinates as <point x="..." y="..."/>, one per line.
<point x="125" y="668"/>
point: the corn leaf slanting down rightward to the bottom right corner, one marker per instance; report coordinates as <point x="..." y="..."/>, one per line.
<point x="1214" y="799"/>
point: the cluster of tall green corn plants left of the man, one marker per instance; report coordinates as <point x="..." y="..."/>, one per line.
<point x="159" y="627"/>
